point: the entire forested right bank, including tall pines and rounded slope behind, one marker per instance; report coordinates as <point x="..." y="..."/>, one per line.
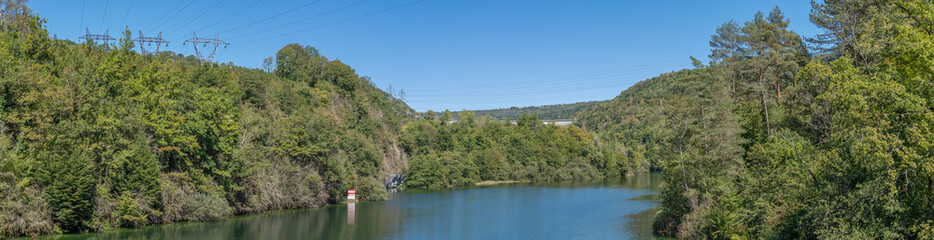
<point x="773" y="140"/>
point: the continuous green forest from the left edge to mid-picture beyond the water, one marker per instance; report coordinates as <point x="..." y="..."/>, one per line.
<point x="97" y="136"/>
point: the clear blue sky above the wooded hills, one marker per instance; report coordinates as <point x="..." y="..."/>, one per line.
<point x="445" y="54"/>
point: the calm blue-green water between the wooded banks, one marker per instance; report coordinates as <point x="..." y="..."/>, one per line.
<point x="611" y="209"/>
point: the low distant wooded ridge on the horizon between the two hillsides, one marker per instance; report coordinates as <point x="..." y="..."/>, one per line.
<point x="546" y="112"/>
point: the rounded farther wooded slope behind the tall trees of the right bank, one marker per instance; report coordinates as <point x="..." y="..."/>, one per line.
<point x="637" y="120"/>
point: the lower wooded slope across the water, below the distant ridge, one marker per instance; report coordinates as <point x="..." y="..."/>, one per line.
<point x="483" y="148"/>
